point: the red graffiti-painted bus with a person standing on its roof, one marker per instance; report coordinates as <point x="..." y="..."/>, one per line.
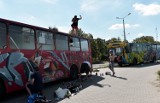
<point x="58" y="55"/>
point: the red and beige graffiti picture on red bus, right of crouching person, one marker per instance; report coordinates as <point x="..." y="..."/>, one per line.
<point x="50" y="64"/>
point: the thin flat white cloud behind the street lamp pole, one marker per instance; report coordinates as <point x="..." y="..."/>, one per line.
<point x="120" y="26"/>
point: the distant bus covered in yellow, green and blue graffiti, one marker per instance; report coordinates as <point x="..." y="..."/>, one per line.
<point x="134" y="53"/>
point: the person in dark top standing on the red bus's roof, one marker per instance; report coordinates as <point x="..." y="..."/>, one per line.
<point x="74" y="24"/>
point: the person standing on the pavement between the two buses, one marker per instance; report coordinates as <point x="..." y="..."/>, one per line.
<point x="111" y="62"/>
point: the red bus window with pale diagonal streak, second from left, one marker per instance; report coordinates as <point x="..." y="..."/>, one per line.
<point x="21" y="37"/>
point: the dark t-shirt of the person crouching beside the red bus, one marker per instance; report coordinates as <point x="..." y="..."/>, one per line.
<point x="38" y="83"/>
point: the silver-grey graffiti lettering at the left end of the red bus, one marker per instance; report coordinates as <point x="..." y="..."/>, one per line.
<point x="8" y="71"/>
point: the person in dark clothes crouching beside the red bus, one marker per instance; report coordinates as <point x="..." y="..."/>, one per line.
<point x="35" y="84"/>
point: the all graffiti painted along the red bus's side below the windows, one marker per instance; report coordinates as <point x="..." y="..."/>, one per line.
<point x="49" y="65"/>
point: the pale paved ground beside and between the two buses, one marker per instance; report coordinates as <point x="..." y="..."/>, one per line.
<point x="131" y="85"/>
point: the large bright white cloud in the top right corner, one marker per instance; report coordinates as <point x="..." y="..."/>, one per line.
<point x="146" y="10"/>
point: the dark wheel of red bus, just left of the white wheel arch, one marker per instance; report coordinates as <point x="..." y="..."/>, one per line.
<point x="74" y="72"/>
